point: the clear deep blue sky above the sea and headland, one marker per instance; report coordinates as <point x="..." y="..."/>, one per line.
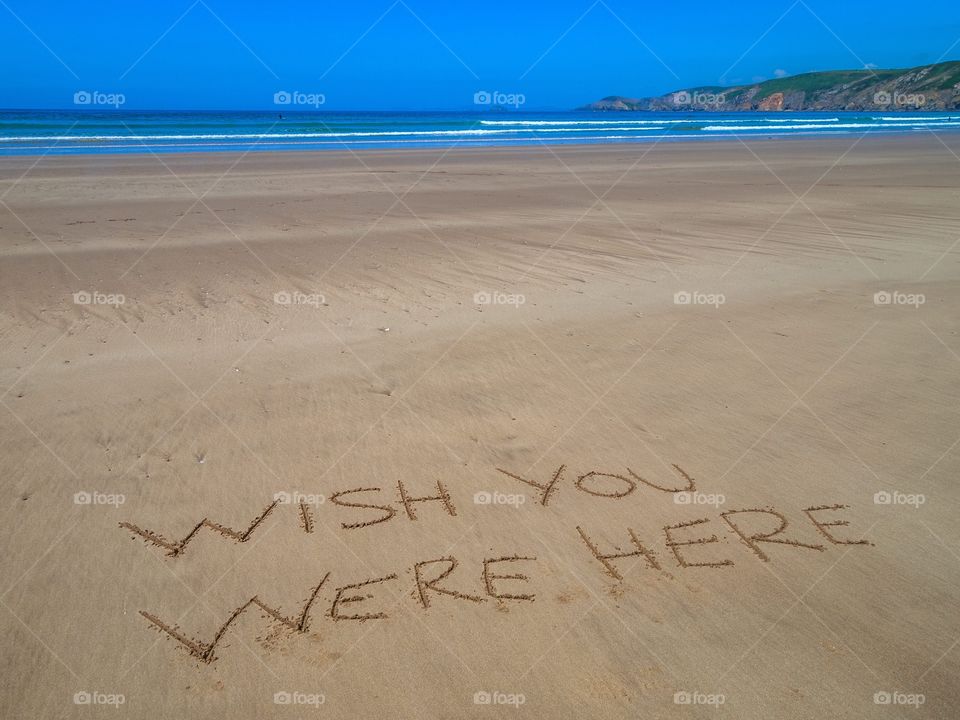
<point x="432" y="54"/>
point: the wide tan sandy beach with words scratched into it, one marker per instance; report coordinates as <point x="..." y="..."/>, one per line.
<point x="202" y="397"/>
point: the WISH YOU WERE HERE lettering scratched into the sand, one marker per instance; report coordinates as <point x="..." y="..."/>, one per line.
<point x="511" y="577"/>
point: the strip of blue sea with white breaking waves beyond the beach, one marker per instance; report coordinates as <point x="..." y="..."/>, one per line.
<point x="123" y="131"/>
